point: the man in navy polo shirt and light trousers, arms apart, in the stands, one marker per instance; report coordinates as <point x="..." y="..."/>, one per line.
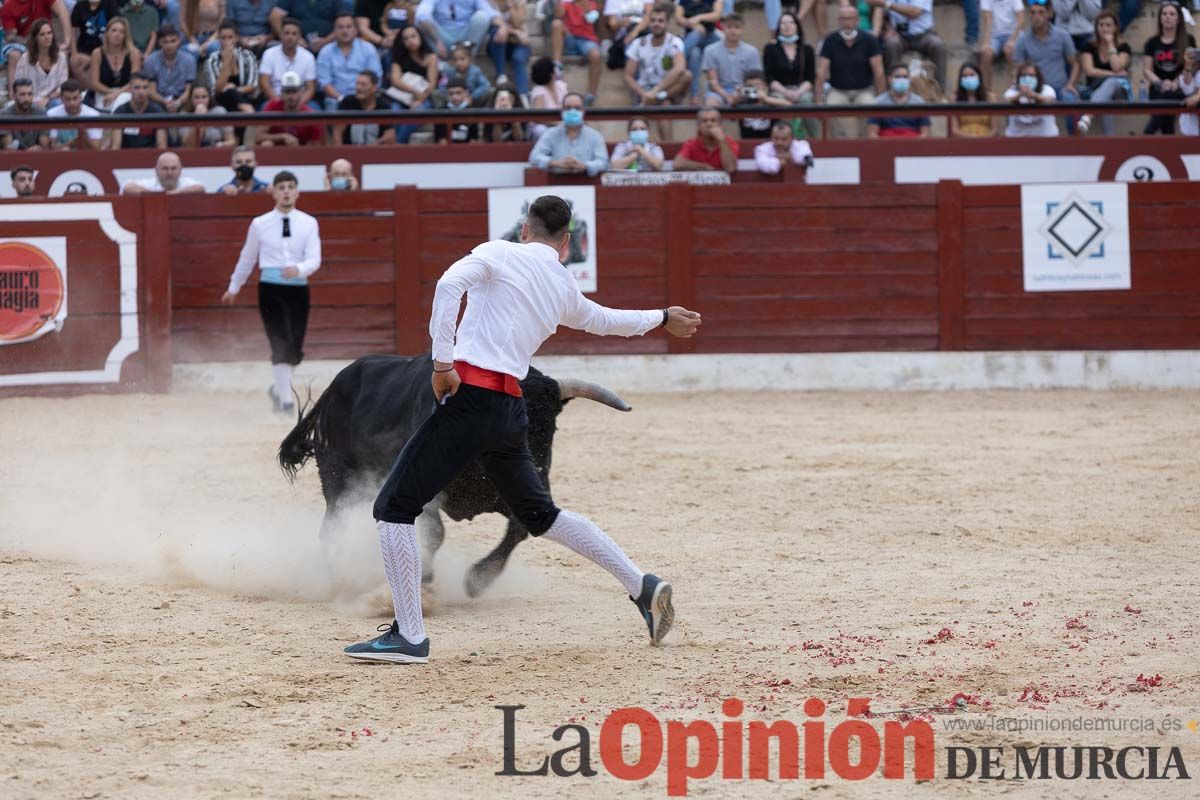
<point x="853" y="64"/>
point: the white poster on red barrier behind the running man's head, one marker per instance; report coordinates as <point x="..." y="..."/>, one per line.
<point x="507" y="210"/>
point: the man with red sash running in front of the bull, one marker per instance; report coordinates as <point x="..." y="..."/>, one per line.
<point x="518" y="294"/>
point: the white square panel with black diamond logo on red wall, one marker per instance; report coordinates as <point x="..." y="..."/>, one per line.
<point x="1076" y="237"/>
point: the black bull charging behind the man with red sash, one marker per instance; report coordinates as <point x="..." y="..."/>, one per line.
<point x="359" y="425"/>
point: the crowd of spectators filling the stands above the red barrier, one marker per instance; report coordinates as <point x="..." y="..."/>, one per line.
<point x="86" y="58"/>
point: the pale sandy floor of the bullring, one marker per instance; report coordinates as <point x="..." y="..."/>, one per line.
<point x="167" y="628"/>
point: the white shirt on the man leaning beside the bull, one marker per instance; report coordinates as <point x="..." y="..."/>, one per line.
<point x="517" y="297"/>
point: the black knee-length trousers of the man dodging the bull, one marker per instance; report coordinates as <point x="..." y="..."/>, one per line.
<point x="475" y="424"/>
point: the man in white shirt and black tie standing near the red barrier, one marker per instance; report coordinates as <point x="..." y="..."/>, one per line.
<point x="286" y="244"/>
